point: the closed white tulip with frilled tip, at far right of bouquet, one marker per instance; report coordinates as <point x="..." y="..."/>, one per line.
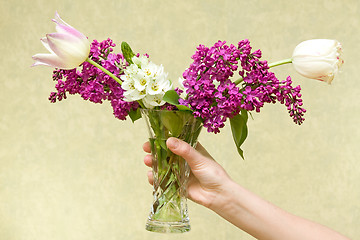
<point x="318" y="59"/>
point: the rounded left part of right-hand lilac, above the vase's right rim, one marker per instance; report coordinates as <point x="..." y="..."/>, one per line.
<point x="210" y="93"/>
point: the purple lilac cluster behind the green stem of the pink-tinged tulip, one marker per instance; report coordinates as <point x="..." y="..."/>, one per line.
<point x="94" y="85"/>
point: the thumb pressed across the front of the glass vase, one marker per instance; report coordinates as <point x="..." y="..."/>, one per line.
<point x="194" y="158"/>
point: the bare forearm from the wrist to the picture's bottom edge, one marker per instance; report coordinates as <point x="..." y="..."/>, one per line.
<point x="263" y="220"/>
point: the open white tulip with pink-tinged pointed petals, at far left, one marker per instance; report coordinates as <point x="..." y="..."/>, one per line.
<point x="68" y="47"/>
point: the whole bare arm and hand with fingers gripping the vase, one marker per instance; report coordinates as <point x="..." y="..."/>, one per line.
<point x="211" y="187"/>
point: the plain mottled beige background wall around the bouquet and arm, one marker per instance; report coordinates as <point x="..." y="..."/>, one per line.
<point x="72" y="171"/>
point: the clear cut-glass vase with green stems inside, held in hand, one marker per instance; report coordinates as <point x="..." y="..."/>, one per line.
<point x="169" y="212"/>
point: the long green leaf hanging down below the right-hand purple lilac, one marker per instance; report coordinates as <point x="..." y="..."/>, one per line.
<point x="239" y="130"/>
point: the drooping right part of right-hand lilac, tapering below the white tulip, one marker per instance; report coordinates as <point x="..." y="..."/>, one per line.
<point x="261" y="86"/>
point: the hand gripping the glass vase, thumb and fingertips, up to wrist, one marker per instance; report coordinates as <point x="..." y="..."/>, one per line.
<point x="207" y="179"/>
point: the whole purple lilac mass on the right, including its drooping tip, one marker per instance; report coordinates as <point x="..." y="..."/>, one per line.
<point x="214" y="97"/>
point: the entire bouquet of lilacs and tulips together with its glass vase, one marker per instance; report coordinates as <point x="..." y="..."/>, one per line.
<point x="223" y="82"/>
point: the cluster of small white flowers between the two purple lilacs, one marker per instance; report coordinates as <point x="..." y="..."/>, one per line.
<point x="143" y="80"/>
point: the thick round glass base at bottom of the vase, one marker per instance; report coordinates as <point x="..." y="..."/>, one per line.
<point x="167" y="227"/>
